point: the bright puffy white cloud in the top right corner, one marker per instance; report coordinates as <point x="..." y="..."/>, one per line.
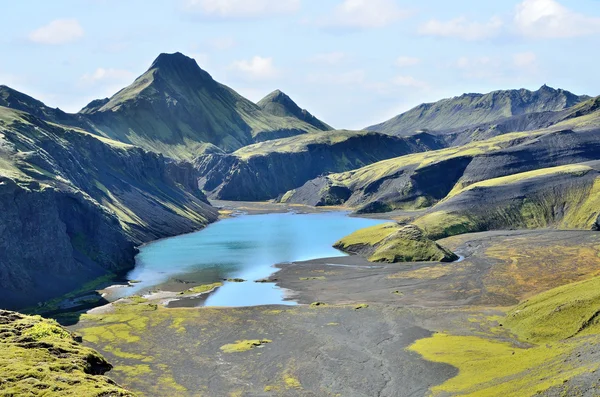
<point x="549" y="19"/>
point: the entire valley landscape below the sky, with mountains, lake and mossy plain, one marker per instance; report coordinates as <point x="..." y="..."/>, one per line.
<point x="192" y="242"/>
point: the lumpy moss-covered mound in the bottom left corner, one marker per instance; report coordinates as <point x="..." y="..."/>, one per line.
<point x="39" y="358"/>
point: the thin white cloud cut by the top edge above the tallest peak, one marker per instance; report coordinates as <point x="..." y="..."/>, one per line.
<point x="239" y="9"/>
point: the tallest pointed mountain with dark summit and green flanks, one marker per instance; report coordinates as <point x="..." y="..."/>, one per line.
<point x="176" y="108"/>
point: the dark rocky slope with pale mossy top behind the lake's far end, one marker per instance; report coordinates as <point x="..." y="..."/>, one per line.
<point x="267" y="170"/>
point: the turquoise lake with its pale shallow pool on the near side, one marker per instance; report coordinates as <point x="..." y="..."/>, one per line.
<point x="243" y="247"/>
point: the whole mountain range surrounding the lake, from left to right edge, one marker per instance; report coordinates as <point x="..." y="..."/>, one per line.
<point x="80" y="191"/>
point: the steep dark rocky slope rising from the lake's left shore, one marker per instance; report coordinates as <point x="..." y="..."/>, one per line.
<point x="74" y="206"/>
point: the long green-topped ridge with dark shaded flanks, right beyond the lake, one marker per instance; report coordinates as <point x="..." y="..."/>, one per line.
<point x="420" y="180"/>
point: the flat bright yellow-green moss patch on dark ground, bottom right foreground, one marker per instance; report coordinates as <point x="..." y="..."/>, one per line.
<point x="489" y="367"/>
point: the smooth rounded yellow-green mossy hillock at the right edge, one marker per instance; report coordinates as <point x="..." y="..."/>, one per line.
<point x="560" y="313"/>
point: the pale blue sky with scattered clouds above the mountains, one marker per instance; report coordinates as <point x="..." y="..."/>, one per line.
<point x="352" y="63"/>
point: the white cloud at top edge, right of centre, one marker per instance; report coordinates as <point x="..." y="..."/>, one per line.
<point x="365" y="14"/>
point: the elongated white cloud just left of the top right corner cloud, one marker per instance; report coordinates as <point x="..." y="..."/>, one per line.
<point x="462" y="28"/>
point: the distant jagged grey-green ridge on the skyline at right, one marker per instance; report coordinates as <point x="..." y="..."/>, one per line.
<point x="470" y="110"/>
